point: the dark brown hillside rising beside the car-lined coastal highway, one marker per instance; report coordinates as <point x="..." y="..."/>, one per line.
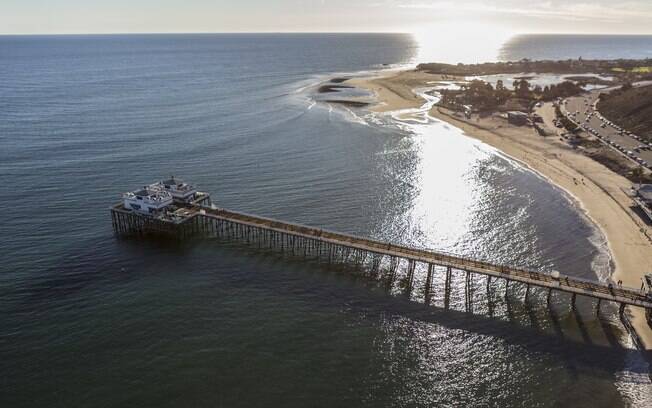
<point x="630" y="108"/>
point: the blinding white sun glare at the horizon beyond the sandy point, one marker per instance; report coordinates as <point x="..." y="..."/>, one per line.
<point x="463" y="42"/>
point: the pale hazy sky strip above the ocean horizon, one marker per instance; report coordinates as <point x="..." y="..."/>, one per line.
<point x="111" y="16"/>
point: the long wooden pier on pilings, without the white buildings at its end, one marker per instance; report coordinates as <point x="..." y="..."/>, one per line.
<point x="195" y="219"/>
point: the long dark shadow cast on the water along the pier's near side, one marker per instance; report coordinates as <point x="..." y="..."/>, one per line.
<point x="502" y="311"/>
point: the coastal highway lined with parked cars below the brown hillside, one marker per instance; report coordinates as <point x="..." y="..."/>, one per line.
<point x="581" y="110"/>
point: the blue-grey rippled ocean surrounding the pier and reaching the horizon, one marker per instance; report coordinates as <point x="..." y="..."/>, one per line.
<point x="92" y="320"/>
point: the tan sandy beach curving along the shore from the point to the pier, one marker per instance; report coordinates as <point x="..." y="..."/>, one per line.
<point x="597" y="190"/>
